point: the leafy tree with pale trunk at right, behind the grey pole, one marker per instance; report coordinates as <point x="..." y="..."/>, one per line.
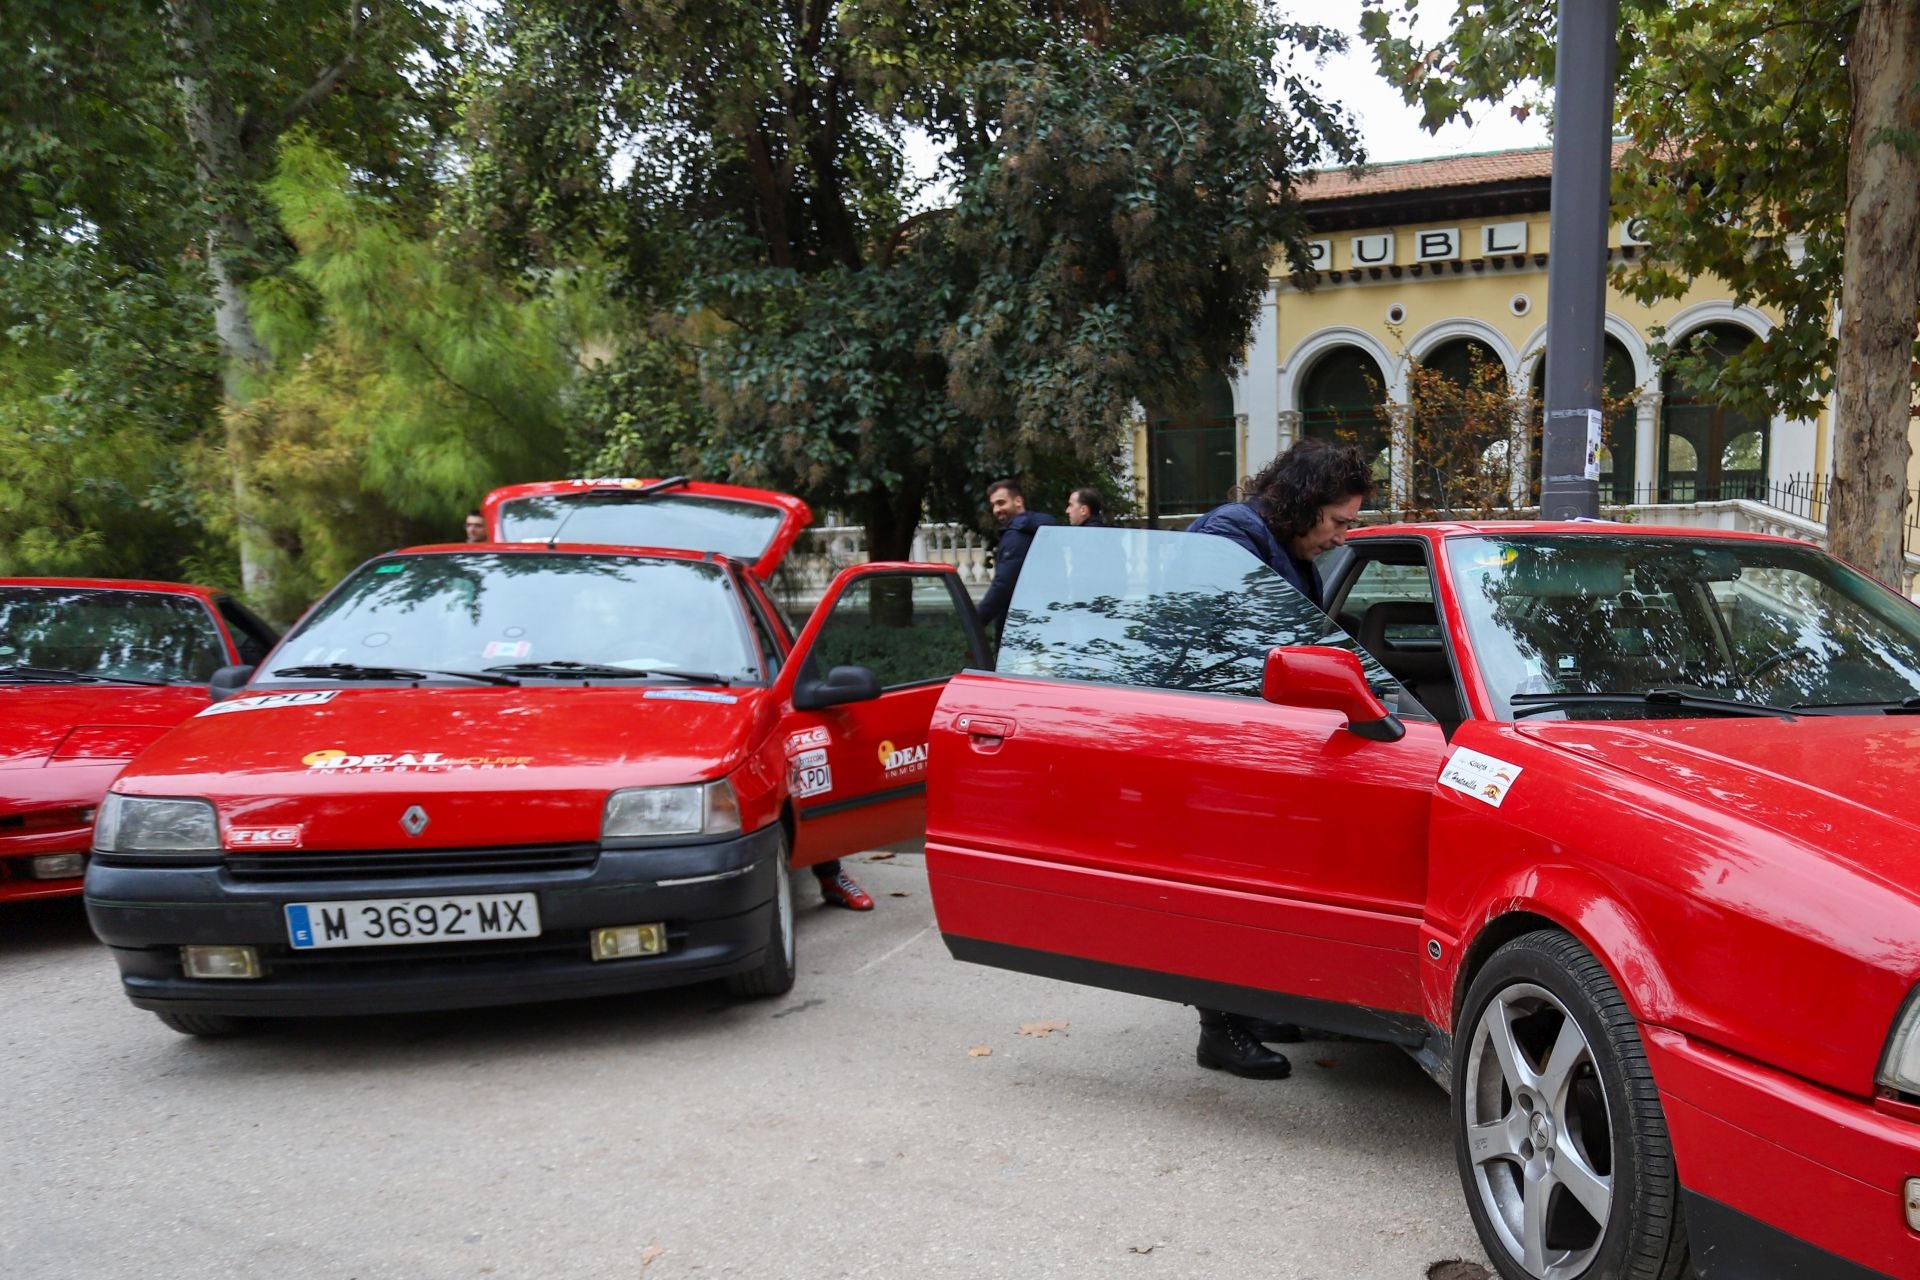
<point x="1777" y="149"/>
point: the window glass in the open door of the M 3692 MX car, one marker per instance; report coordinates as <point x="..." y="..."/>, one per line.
<point x="907" y="627"/>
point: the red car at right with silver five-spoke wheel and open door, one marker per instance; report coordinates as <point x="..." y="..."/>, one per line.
<point x="1612" y="828"/>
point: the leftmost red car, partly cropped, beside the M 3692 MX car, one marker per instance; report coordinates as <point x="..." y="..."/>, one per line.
<point x="91" y="673"/>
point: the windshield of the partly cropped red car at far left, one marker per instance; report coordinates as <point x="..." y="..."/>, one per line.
<point x="105" y="634"/>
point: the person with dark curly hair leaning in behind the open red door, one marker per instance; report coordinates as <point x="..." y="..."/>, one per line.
<point x="1299" y="508"/>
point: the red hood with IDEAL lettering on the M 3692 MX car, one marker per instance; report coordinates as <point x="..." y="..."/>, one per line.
<point x="491" y="767"/>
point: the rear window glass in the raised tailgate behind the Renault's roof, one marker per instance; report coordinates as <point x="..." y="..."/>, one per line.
<point x="621" y="519"/>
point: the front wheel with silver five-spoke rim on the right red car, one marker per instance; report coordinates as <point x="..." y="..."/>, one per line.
<point x="1558" y="1127"/>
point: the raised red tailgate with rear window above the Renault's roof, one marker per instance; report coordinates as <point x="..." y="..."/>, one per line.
<point x="754" y="527"/>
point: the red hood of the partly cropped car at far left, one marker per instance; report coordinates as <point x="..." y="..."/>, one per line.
<point x="57" y="724"/>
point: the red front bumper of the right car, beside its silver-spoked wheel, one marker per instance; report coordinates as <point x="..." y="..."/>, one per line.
<point x="1783" y="1177"/>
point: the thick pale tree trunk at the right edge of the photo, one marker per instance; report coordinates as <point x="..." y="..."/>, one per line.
<point x="1881" y="295"/>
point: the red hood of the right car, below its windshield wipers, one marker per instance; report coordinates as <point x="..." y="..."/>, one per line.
<point x="1844" y="786"/>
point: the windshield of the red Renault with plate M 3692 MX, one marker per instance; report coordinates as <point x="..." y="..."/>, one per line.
<point x="485" y="609"/>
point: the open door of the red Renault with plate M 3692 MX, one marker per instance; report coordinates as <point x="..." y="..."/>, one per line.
<point x="859" y="694"/>
